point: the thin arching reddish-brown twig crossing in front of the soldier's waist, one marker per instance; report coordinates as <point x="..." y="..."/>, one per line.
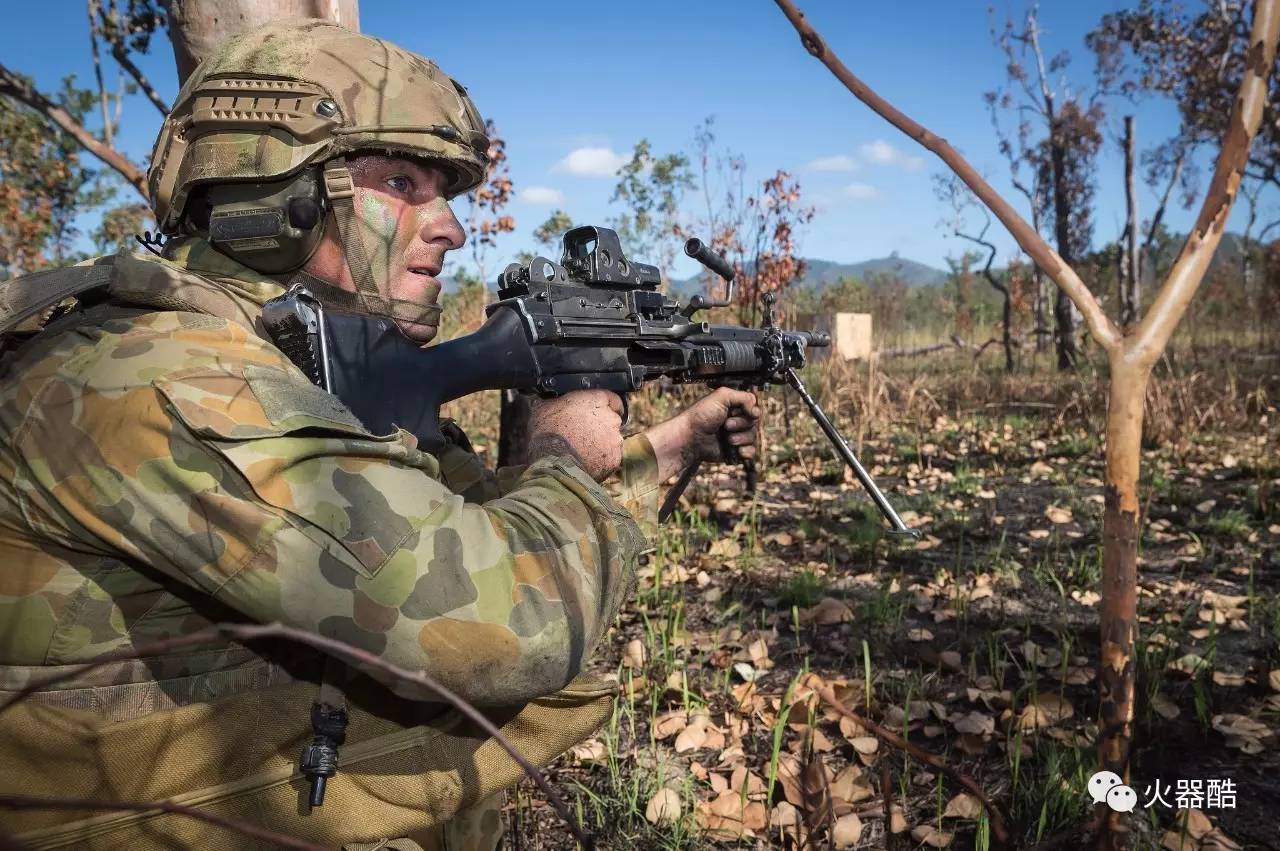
<point x="248" y="633"/>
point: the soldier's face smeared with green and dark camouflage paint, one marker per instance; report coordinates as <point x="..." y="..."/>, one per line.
<point x="406" y="226"/>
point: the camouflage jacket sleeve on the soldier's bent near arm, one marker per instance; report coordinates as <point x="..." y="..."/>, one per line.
<point x="205" y="455"/>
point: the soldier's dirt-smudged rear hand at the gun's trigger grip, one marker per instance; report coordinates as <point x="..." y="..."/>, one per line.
<point x="583" y="425"/>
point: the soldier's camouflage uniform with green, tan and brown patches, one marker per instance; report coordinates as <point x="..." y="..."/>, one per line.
<point x="164" y="468"/>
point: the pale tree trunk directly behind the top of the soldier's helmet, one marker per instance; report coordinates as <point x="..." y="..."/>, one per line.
<point x="198" y="28"/>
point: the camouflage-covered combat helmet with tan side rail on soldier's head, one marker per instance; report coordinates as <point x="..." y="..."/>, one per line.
<point x="294" y="94"/>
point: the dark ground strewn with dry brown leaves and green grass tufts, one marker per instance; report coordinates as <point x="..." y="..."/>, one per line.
<point x="977" y="643"/>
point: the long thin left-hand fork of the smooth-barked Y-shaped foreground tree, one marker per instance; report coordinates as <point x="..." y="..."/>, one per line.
<point x="1103" y="330"/>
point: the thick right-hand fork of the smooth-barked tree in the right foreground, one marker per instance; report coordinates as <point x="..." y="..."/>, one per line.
<point x="1188" y="272"/>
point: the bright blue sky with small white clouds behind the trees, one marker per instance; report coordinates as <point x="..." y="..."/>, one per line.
<point x="574" y="85"/>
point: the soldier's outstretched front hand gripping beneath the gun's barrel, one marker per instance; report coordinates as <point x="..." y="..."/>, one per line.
<point x="698" y="433"/>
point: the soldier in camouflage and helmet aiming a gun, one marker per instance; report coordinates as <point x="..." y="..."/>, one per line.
<point x="163" y="468"/>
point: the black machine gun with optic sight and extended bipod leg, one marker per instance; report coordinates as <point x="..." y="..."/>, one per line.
<point x="595" y="321"/>
